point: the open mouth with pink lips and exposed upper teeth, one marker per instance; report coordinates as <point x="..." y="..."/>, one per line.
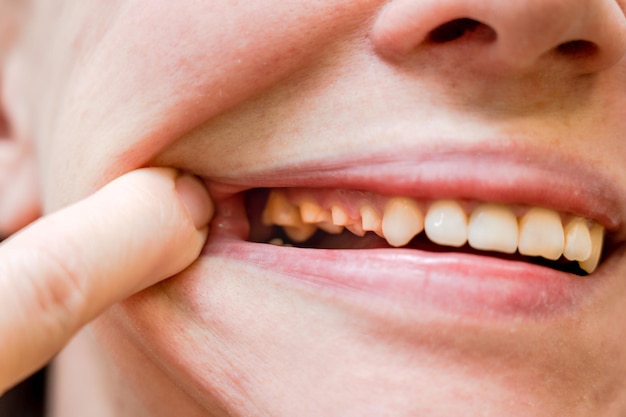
<point x="484" y="232"/>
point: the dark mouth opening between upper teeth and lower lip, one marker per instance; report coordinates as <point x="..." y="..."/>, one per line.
<point x="256" y="199"/>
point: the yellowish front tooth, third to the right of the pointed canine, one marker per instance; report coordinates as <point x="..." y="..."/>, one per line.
<point x="541" y="234"/>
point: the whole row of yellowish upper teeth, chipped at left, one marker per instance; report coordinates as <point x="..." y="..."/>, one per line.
<point x="494" y="227"/>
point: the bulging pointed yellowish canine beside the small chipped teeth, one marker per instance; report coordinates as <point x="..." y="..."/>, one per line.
<point x="402" y="220"/>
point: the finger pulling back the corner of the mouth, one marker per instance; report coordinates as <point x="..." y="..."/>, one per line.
<point x="66" y="268"/>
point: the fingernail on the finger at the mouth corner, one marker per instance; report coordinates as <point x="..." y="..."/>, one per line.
<point x="196" y="198"/>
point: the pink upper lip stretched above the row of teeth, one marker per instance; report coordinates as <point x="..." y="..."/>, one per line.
<point x="491" y="172"/>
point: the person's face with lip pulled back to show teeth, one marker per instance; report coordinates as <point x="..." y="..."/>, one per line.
<point x="498" y="122"/>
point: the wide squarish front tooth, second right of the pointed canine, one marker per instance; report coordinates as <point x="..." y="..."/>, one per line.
<point x="493" y="227"/>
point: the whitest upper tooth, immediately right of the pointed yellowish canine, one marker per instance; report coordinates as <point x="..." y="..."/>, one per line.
<point x="446" y="223"/>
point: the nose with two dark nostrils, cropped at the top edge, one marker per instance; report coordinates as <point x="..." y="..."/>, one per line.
<point x="506" y="35"/>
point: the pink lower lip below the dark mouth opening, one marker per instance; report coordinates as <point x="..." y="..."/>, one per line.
<point x="450" y="282"/>
